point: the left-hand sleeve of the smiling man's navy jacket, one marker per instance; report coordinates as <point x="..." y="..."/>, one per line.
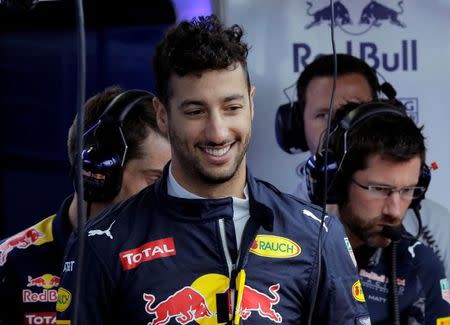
<point x="94" y="289"/>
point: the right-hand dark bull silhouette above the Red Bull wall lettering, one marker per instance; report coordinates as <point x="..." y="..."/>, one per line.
<point x="374" y="12"/>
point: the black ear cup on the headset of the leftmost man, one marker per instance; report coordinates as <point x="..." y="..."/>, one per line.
<point x="102" y="175"/>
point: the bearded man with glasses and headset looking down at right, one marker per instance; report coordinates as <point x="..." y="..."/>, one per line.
<point x="380" y="171"/>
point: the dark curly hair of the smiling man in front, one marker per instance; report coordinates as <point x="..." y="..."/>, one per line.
<point x="193" y="47"/>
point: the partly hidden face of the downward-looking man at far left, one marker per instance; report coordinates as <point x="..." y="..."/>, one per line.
<point x="139" y="173"/>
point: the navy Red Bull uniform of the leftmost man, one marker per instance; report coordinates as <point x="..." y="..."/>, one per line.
<point x="30" y="265"/>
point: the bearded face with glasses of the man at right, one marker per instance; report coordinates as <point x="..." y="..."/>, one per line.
<point x="365" y="216"/>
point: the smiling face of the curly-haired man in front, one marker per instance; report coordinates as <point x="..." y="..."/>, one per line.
<point x="209" y="126"/>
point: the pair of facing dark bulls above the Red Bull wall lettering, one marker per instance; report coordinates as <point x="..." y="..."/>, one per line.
<point x="355" y="17"/>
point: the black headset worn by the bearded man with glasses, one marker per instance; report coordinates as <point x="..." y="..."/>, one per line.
<point x="315" y="168"/>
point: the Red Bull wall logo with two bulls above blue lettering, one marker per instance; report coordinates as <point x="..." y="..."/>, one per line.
<point x="356" y="18"/>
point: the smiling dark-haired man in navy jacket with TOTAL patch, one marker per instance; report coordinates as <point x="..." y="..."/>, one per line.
<point x="209" y="243"/>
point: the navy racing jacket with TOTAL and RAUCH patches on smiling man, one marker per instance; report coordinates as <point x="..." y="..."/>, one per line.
<point x="161" y="259"/>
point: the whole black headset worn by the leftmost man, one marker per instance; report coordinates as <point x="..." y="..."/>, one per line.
<point x="103" y="167"/>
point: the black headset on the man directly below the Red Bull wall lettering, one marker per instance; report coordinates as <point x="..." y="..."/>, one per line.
<point x="289" y="123"/>
